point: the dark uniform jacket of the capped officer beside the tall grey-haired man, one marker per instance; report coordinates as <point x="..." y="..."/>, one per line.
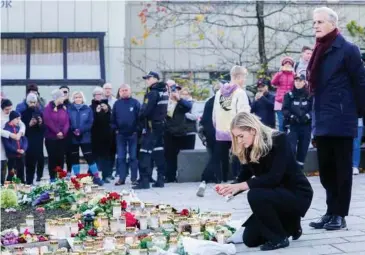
<point x="297" y="107"/>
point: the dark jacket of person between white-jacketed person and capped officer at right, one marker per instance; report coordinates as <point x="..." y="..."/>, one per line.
<point x="264" y="109"/>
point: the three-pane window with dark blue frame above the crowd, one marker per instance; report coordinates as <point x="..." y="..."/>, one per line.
<point x="52" y="58"/>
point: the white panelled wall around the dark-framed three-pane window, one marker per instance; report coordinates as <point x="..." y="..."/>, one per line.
<point x="71" y="16"/>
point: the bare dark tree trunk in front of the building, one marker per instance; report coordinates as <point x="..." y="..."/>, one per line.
<point x="261" y="33"/>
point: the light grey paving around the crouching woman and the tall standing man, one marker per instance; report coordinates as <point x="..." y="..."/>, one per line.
<point x="312" y="242"/>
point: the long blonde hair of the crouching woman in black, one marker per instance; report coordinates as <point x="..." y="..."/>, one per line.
<point x="262" y="142"/>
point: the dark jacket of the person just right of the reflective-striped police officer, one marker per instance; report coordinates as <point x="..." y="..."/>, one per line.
<point x="176" y="125"/>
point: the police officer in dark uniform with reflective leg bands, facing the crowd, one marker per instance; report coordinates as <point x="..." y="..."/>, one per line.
<point x="152" y="116"/>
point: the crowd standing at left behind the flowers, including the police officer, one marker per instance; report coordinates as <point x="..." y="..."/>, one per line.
<point x="111" y="131"/>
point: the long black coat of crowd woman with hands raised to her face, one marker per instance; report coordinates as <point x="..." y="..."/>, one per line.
<point x="101" y="131"/>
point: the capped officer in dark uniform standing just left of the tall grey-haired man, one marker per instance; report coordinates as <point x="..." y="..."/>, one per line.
<point x="297" y="109"/>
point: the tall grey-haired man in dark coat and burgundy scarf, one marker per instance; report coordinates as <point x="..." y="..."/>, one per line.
<point x="336" y="77"/>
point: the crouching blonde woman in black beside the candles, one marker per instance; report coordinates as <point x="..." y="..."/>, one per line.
<point x="279" y="194"/>
